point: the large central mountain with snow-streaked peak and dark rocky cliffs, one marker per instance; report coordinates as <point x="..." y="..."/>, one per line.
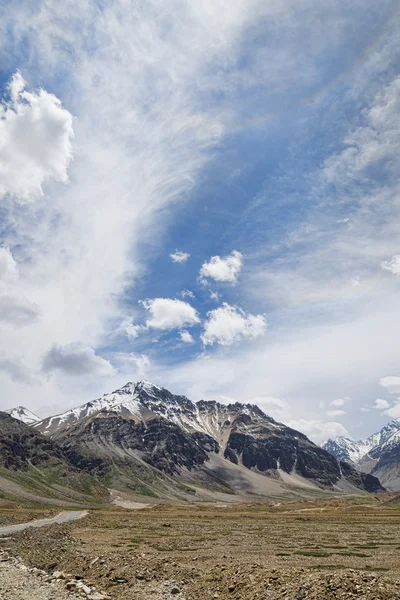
<point x="163" y="444"/>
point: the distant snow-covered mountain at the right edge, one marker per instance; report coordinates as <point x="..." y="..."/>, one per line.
<point x="378" y="454"/>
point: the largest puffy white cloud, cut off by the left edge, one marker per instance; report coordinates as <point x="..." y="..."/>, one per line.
<point x="35" y="141"/>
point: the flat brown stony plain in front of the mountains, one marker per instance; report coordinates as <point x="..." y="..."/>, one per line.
<point x="313" y="549"/>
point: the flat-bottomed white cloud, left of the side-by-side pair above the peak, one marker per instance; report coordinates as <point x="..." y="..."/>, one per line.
<point x="168" y="313"/>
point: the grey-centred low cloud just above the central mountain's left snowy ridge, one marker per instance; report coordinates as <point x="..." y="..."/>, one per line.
<point x="76" y="359"/>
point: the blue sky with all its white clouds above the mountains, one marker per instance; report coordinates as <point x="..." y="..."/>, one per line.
<point x="205" y="195"/>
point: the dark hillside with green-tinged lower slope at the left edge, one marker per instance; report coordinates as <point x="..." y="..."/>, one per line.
<point x="34" y="468"/>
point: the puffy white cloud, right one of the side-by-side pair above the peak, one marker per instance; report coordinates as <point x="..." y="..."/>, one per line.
<point x="228" y="324"/>
